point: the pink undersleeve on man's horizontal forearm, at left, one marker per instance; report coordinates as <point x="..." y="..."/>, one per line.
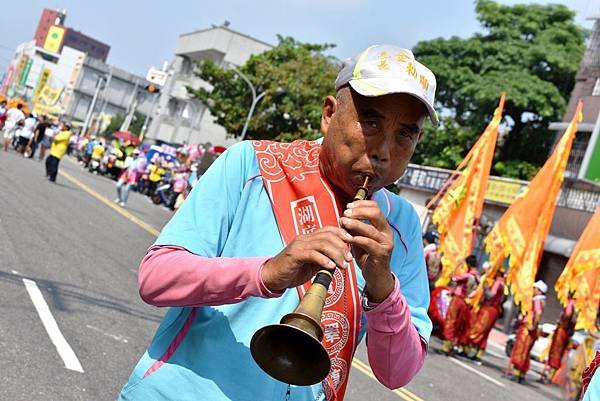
<point x="173" y="276"/>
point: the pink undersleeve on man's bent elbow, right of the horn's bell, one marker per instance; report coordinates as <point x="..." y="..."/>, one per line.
<point x="395" y="348"/>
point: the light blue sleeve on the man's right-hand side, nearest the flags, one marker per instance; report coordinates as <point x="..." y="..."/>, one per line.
<point x="408" y="264"/>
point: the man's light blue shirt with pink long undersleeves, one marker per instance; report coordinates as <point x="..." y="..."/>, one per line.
<point x="206" y="265"/>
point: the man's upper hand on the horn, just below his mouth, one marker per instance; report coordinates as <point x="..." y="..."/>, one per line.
<point x="372" y="246"/>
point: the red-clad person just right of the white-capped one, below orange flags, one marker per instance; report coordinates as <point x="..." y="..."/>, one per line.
<point x="560" y="339"/>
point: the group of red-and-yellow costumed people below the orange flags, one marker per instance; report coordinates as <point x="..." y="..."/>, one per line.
<point x="465" y="312"/>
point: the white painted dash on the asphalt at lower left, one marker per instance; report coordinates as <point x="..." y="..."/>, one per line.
<point x="62" y="346"/>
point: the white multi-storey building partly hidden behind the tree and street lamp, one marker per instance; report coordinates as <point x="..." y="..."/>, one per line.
<point x="178" y="118"/>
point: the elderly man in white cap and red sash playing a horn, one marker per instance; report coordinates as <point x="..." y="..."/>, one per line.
<point x="266" y="217"/>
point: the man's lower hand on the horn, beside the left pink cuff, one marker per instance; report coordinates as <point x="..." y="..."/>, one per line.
<point x="326" y="248"/>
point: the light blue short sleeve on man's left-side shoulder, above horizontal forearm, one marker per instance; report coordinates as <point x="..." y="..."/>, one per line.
<point x="202" y="223"/>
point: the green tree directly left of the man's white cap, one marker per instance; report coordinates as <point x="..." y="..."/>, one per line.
<point x="304" y="72"/>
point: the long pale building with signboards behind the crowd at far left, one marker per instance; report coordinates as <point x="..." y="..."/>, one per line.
<point x="73" y="77"/>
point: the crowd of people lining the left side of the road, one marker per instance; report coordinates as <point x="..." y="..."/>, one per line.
<point x="165" y="176"/>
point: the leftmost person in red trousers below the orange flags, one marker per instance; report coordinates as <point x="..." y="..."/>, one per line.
<point x="456" y="325"/>
